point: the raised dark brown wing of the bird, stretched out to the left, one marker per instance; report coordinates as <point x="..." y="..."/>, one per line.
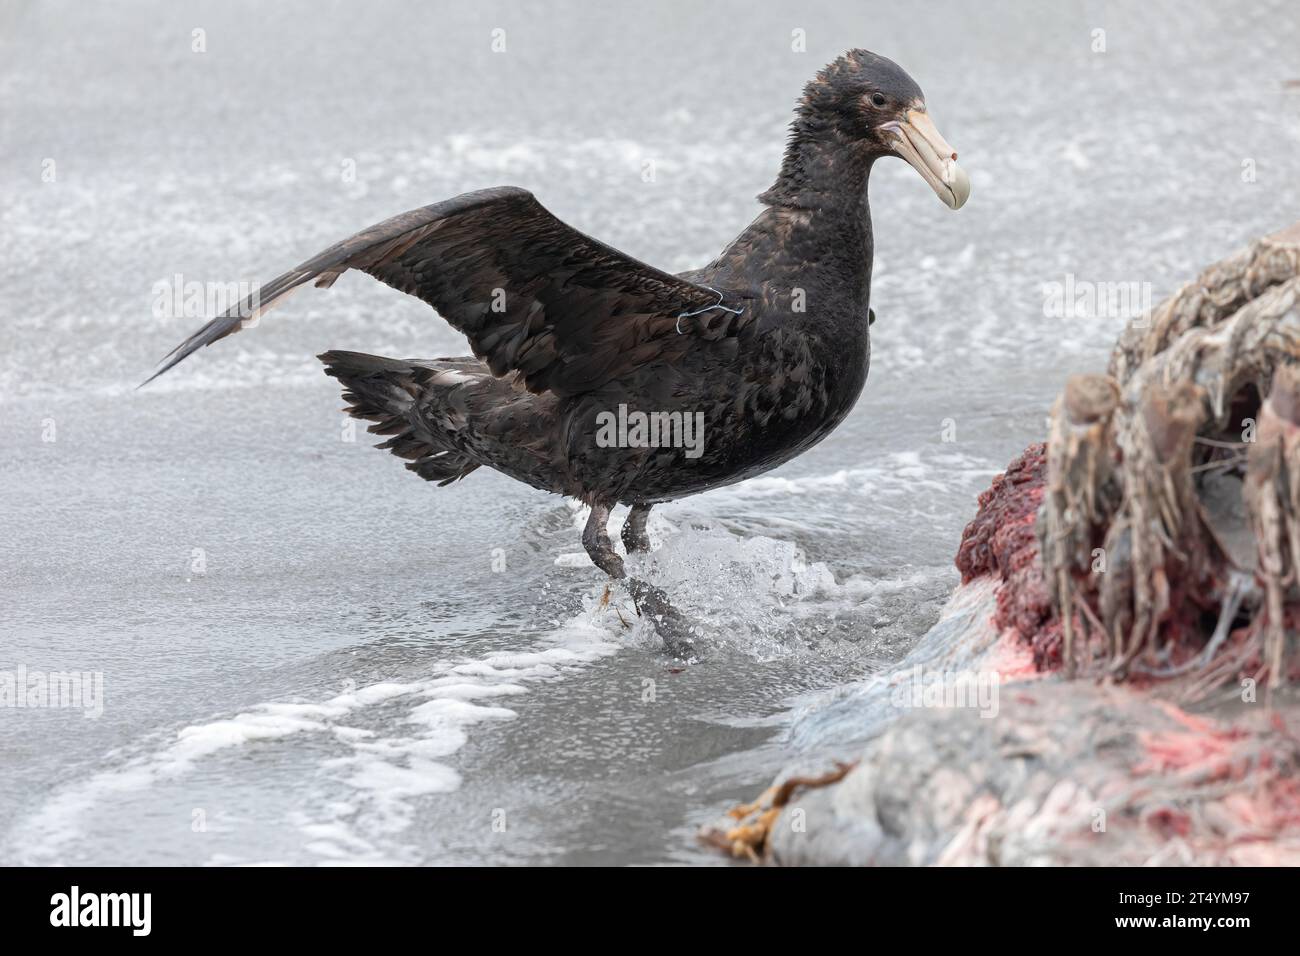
<point x="532" y="295"/>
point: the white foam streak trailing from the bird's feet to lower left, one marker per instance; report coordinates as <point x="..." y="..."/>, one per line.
<point x="384" y="772"/>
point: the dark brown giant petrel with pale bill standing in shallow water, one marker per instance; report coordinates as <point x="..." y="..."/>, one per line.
<point x="765" y="349"/>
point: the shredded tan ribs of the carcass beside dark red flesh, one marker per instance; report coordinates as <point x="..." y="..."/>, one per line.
<point x="1130" y="457"/>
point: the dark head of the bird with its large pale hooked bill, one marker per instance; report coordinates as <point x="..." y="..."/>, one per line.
<point x="870" y="105"/>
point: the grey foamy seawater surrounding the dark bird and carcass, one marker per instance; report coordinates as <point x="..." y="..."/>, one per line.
<point x="310" y="656"/>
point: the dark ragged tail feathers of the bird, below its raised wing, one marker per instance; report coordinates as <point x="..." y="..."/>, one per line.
<point x="388" y="393"/>
